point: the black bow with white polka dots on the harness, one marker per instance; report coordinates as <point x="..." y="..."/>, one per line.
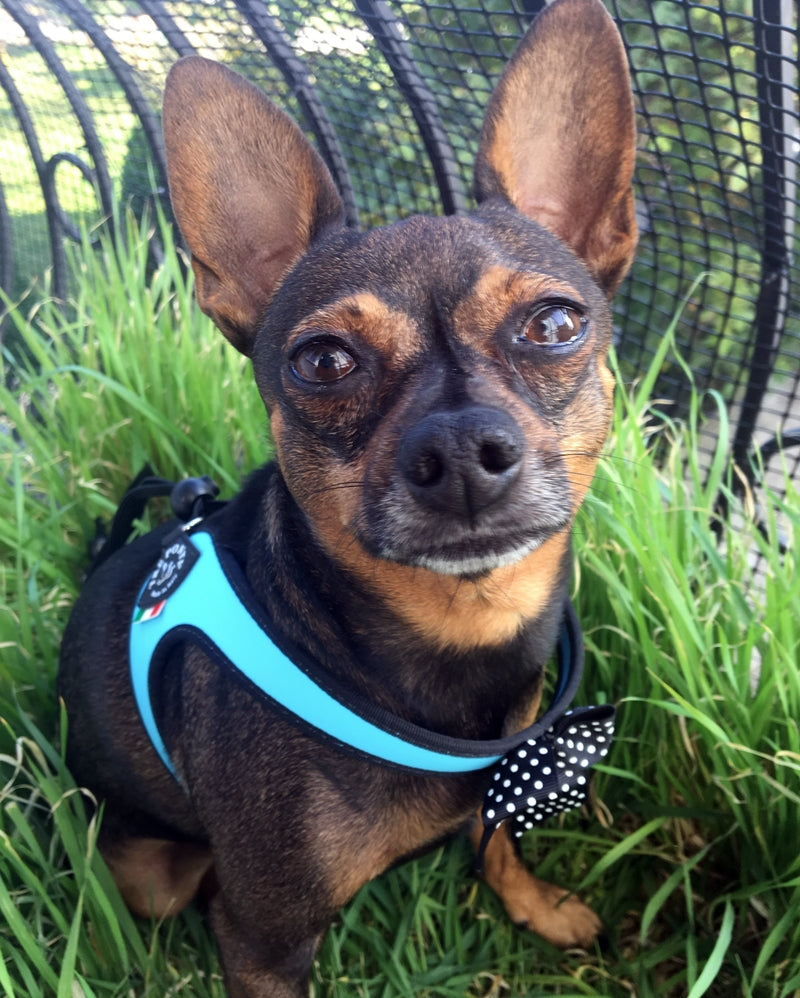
<point x="548" y="774"/>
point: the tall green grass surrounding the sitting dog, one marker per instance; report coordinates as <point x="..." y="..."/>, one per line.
<point x="690" y="853"/>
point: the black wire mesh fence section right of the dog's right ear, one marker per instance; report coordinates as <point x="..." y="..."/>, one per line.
<point x="717" y="100"/>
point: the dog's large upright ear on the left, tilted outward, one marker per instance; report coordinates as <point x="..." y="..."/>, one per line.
<point x="248" y="191"/>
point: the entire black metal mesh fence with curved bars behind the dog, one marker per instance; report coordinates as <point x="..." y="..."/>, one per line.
<point x="393" y="94"/>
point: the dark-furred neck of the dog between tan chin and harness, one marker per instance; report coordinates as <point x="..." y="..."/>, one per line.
<point x="368" y="646"/>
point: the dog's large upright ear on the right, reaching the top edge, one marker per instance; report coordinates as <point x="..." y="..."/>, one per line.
<point x="559" y="138"/>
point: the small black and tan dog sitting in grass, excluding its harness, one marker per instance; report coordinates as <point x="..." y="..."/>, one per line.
<point x="438" y="398"/>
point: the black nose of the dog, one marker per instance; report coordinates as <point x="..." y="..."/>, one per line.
<point x="461" y="461"/>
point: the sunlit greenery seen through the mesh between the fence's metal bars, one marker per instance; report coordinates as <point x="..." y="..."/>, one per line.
<point x="699" y="177"/>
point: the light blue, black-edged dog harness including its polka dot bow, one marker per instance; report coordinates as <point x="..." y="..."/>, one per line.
<point x="197" y="593"/>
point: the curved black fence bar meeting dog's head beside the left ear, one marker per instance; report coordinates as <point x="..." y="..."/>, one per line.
<point x="296" y="75"/>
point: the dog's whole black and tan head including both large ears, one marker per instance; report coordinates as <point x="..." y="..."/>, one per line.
<point x="437" y="388"/>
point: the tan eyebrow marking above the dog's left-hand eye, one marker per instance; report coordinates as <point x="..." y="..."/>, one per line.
<point x="390" y="331"/>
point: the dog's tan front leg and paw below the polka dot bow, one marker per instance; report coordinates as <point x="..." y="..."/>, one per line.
<point x="548" y="910"/>
